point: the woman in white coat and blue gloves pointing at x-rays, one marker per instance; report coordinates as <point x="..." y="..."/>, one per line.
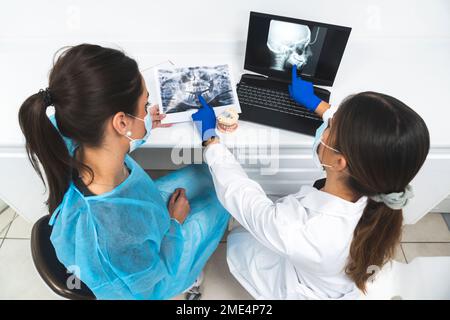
<point x="323" y="243"/>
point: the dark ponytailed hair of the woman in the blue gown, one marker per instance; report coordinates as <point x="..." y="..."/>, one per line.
<point x="88" y="85"/>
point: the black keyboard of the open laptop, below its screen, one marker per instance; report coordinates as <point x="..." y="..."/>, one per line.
<point x="273" y="100"/>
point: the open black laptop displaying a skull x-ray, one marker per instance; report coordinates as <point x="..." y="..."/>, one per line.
<point x="274" y="45"/>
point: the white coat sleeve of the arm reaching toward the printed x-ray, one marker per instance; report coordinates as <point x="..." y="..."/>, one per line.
<point x="246" y="201"/>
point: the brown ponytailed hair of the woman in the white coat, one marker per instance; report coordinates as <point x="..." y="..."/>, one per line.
<point x="385" y="144"/>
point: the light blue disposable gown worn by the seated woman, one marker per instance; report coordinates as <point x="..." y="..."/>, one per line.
<point x="123" y="243"/>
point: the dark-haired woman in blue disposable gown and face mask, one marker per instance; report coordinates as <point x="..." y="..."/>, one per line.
<point x="126" y="236"/>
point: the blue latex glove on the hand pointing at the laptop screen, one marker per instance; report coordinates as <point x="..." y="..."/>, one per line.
<point x="303" y="92"/>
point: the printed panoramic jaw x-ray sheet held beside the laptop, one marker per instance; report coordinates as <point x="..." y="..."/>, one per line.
<point x="181" y="87"/>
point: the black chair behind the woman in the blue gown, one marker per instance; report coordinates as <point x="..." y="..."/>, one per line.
<point x="54" y="274"/>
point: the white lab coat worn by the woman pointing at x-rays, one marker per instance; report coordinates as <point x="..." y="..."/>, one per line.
<point x="295" y="248"/>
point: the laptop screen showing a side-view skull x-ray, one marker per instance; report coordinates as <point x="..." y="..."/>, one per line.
<point x="275" y="44"/>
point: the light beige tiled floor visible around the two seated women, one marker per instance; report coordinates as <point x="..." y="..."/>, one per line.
<point x="19" y="279"/>
